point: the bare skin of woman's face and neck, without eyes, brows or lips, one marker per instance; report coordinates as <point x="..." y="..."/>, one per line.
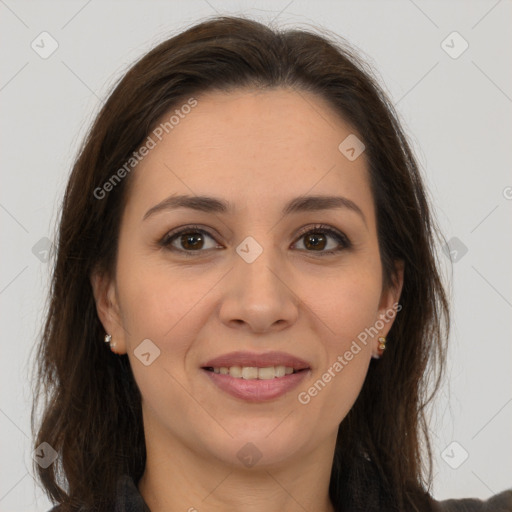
<point x="256" y="149"/>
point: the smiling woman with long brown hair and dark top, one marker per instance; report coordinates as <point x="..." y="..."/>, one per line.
<point x="247" y="230"/>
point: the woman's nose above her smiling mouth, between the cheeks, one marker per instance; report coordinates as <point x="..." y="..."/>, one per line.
<point x="258" y="297"/>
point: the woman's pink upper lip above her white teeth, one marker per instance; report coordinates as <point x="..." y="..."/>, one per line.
<point x="264" y="360"/>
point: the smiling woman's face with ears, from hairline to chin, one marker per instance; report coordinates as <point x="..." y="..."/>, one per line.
<point x="248" y="278"/>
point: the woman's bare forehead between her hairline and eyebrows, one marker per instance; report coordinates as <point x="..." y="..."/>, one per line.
<point x="250" y="145"/>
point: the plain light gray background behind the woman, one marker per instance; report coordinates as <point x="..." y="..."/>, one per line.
<point x="456" y="111"/>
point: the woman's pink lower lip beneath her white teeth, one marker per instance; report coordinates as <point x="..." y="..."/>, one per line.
<point x="257" y="390"/>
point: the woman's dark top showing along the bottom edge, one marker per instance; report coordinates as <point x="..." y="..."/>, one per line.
<point x="129" y="499"/>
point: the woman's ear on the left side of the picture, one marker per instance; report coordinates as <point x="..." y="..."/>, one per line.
<point x="107" y="307"/>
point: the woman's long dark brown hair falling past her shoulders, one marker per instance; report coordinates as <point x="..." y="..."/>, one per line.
<point x="91" y="405"/>
